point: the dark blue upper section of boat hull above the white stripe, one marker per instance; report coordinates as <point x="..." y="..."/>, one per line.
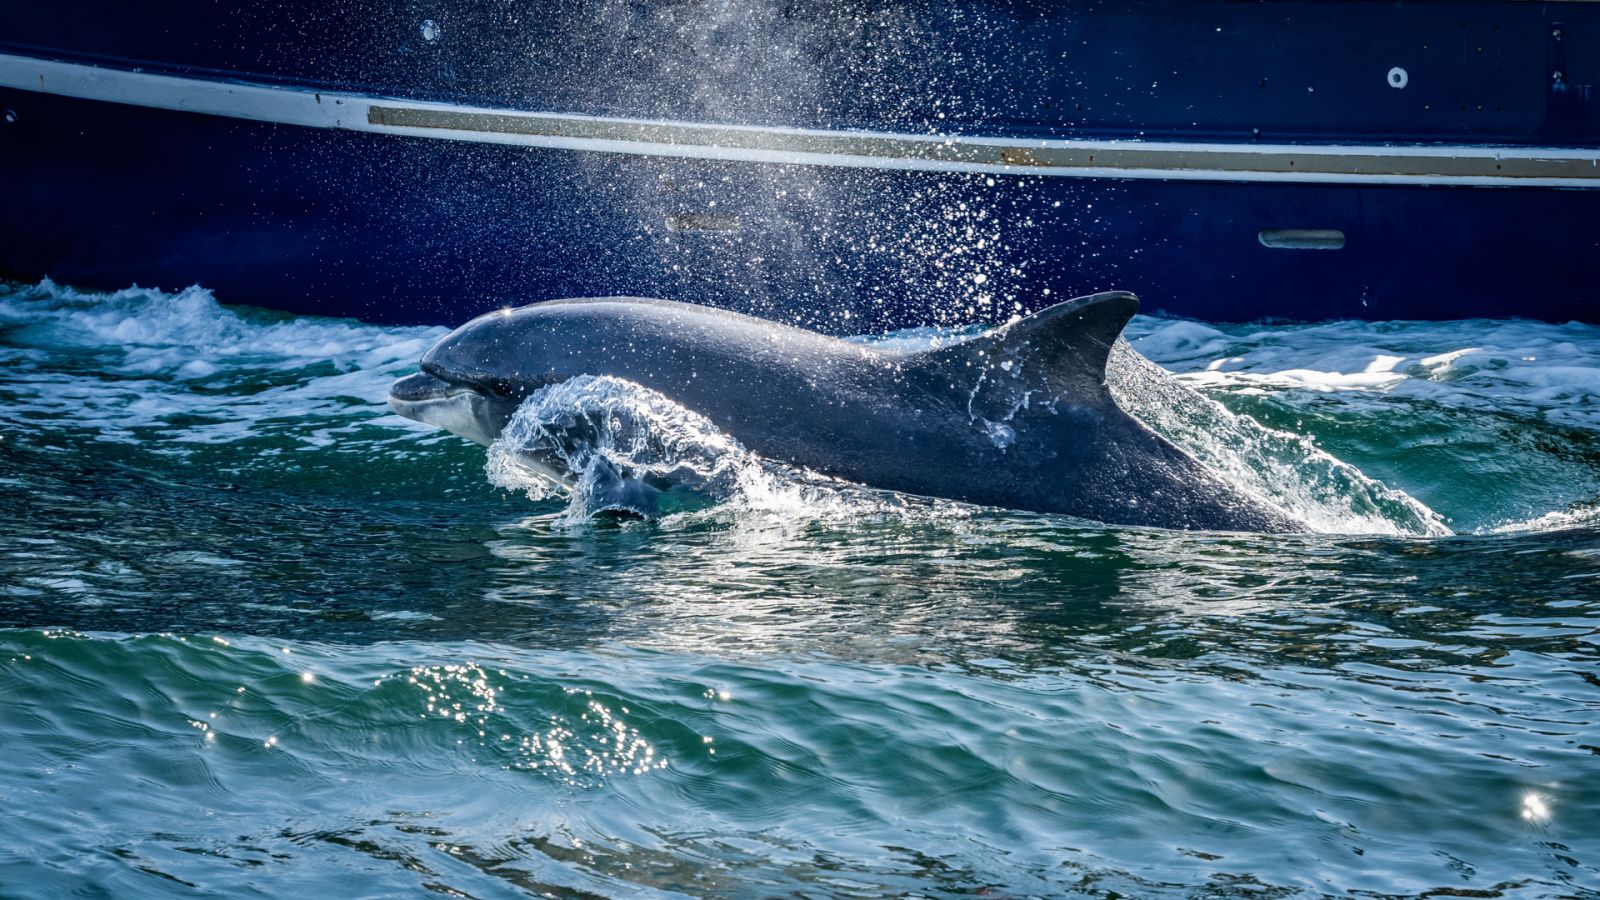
<point x="1479" y="71"/>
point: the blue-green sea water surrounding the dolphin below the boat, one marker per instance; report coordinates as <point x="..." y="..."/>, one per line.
<point x="262" y="637"/>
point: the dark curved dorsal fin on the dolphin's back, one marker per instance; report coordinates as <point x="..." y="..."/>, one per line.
<point x="1062" y="348"/>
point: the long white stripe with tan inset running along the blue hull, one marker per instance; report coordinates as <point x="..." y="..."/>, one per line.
<point x="1364" y="164"/>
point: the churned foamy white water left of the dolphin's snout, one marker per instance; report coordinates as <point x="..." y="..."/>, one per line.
<point x="191" y="371"/>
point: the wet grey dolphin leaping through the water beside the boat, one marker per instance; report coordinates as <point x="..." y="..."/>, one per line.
<point x="1018" y="417"/>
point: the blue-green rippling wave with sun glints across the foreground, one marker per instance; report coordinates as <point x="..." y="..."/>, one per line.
<point x="238" y="763"/>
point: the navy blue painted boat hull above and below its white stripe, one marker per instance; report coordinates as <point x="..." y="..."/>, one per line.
<point x="428" y="231"/>
